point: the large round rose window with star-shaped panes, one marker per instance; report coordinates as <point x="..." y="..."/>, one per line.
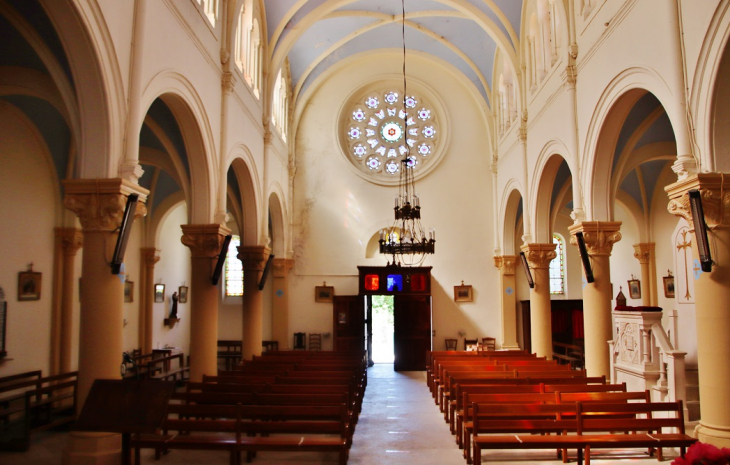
<point x="381" y="128"/>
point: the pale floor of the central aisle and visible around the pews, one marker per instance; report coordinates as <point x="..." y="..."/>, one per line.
<point x="399" y="424"/>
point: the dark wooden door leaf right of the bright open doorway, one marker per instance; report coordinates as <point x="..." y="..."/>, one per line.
<point x="412" y="332"/>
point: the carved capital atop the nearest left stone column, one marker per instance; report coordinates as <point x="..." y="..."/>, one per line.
<point x="100" y="203"/>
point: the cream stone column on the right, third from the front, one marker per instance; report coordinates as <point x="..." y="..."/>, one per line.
<point x="539" y="257"/>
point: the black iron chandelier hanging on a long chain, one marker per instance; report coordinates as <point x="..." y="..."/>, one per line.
<point x="406" y="240"/>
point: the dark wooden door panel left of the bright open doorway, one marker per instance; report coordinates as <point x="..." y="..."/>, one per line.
<point x="348" y="323"/>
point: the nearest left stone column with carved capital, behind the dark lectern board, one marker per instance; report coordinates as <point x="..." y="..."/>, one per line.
<point x="99" y="204"/>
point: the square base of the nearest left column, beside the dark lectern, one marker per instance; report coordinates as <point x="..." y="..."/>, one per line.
<point x="93" y="449"/>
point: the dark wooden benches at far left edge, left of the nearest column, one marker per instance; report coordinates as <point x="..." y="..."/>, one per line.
<point x="50" y="403"/>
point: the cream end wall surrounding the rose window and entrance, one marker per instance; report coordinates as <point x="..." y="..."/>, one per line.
<point x="336" y="212"/>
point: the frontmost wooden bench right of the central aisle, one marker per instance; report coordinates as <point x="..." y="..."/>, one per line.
<point x="590" y="417"/>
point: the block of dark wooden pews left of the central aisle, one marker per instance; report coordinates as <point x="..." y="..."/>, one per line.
<point x="282" y="401"/>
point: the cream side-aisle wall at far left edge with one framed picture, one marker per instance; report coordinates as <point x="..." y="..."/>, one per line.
<point x="29" y="187"/>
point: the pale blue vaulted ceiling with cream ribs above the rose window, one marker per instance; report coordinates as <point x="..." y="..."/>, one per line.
<point x="315" y="35"/>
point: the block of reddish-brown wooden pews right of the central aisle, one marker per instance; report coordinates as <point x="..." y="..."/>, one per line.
<point x="515" y="400"/>
